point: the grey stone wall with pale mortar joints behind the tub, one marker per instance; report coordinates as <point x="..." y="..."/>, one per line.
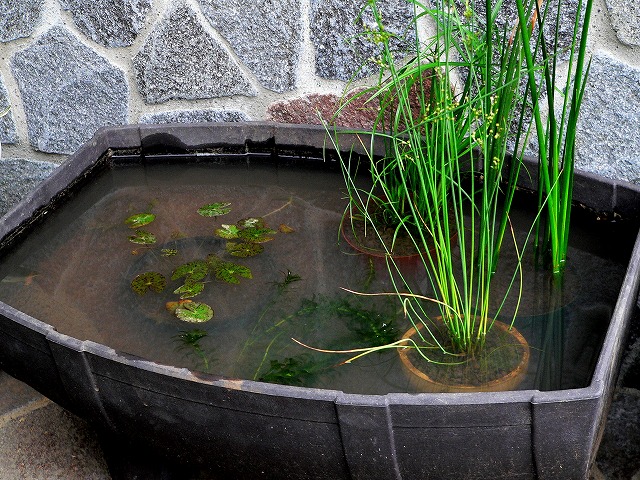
<point x="71" y="66"/>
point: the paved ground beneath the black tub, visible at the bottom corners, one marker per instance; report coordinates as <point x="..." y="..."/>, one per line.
<point x="40" y="440"/>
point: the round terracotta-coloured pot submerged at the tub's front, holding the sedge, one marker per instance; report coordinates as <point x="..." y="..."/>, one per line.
<point x="500" y="366"/>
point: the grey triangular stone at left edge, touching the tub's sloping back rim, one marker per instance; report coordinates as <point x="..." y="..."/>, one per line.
<point x="18" y="177"/>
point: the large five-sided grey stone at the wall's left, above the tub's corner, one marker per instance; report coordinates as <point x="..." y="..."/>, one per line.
<point x="68" y="91"/>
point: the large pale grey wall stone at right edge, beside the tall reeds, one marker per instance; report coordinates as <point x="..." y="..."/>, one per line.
<point x="608" y="138"/>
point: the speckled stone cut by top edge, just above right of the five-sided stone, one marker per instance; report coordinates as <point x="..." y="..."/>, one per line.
<point x="112" y="23"/>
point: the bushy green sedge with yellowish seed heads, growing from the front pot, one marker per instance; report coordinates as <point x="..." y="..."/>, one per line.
<point x="455" y="148"/>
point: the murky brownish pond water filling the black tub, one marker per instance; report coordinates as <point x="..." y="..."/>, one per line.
<point x="75" y="273"/>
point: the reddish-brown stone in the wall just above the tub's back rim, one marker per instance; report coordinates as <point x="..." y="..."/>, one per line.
<point x="315" y="108"/>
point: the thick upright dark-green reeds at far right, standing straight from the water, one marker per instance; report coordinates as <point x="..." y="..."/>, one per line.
<point x="556" y="137"/>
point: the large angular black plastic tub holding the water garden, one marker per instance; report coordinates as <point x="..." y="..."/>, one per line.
<point x="247" y="429"/>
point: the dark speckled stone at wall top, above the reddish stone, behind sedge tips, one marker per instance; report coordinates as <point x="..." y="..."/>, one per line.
<point x="339" y="51"/>
